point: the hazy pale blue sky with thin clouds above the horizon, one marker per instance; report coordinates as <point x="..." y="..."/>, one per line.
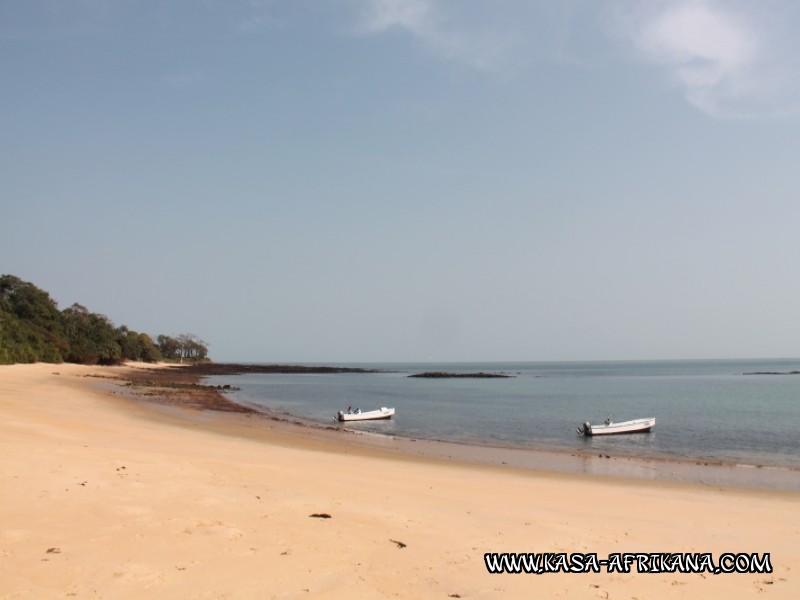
<point x="410" y="180"/>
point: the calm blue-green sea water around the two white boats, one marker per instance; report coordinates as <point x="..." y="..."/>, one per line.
<point x="705" y="410"/>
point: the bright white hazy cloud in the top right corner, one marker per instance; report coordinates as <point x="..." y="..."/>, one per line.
<point x="734" y="60"/>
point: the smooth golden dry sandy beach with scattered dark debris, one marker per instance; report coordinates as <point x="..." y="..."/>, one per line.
<point x="107" y="497"/>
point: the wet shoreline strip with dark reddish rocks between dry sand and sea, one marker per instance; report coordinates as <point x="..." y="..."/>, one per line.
<point x="698" y="470"/>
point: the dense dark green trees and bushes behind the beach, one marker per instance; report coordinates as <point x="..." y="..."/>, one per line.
<point x="33" y="329"/>
